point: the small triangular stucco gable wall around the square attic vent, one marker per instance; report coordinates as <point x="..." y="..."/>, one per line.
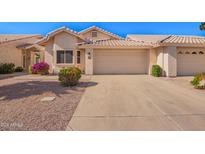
<point x="100" y="35"/>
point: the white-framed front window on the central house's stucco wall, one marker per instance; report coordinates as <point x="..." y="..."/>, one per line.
<point x="64" y="56"/>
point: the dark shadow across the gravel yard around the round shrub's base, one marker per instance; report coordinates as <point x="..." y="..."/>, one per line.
<point x="32" y="88"/>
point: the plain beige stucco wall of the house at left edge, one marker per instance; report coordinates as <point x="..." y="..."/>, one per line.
<point x="10" y="54"/>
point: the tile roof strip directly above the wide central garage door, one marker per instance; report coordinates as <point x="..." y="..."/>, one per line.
<point x="116" y="43"/>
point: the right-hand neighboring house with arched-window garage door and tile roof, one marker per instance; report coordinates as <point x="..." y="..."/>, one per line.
<point x="177" y="55"/>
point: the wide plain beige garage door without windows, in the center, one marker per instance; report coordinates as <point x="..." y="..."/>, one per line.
<point x="120" y="62"/>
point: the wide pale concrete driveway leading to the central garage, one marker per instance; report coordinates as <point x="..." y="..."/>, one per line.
<point x="138" y="102"/>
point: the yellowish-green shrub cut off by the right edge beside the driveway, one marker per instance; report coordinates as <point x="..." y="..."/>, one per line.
<point x="199" y="81"/>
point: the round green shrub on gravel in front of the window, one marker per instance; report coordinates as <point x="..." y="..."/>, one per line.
<point x="69" y="76"/>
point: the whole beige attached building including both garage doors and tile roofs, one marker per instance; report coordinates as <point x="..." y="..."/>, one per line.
<point x="96" y="51"/>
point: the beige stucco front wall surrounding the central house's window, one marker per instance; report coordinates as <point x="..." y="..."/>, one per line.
<point x="62" y="41"/>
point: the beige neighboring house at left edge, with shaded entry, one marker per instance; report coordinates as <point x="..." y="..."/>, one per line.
<point x="20" y="49"/>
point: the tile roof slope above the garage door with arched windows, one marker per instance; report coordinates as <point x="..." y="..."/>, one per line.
<point x="174" y="39"/>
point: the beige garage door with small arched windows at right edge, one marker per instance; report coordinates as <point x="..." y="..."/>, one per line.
<point x="190" y="62"/>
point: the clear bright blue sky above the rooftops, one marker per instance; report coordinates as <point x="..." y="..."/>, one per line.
<point x="119" y="28"/>
